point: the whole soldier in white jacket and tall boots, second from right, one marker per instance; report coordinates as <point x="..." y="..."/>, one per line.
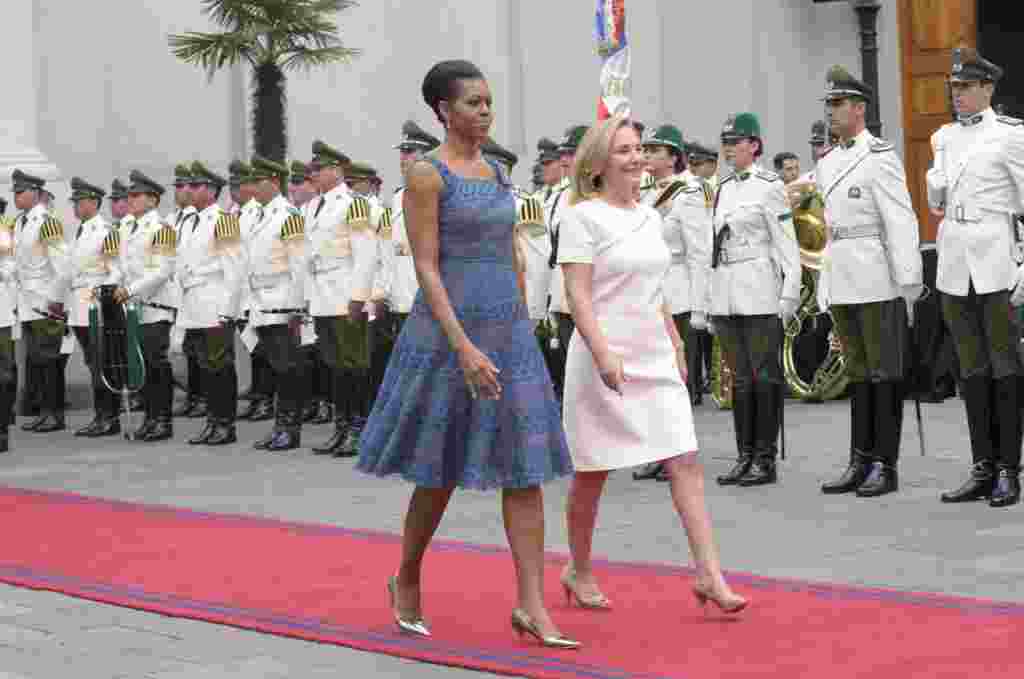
<point x="872" y="280"/>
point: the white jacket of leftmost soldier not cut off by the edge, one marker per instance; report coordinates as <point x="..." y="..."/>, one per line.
<point x="41" y="254"/>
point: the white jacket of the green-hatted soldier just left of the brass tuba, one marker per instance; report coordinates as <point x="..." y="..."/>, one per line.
<point x="760" y="259"/>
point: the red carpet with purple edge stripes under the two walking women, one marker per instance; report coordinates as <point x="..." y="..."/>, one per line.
<point x="328" y="584"/>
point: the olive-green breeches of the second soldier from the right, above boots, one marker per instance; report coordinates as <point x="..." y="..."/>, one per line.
<point x="875" y="338"/>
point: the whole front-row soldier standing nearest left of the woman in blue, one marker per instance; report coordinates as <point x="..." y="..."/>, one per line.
<point x="343" y="254"/>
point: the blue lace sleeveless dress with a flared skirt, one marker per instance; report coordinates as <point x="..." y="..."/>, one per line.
<point x="424" y="425"/>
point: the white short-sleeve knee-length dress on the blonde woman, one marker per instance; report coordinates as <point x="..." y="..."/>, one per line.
<point x="653" y="420"/>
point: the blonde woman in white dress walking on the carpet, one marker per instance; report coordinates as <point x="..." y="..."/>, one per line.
<point x="626" y="398"/>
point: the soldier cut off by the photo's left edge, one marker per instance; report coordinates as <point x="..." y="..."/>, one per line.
<point x="9" y="320"/>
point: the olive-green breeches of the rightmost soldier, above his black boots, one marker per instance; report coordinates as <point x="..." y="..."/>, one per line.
<point x="986" y="335"/>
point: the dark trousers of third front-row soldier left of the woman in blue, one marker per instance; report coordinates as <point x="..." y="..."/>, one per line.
<point x="214" y="351"/>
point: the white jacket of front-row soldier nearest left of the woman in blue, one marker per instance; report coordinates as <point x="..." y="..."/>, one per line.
<point x="343" y="253"/>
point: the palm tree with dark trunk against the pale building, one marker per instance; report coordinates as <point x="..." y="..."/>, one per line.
<point x="274" y="37"/>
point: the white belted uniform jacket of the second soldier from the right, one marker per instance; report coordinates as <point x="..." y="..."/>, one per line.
<point x="873" y="233"/>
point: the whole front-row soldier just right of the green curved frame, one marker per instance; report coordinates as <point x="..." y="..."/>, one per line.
<point x="148" y="257"/>
